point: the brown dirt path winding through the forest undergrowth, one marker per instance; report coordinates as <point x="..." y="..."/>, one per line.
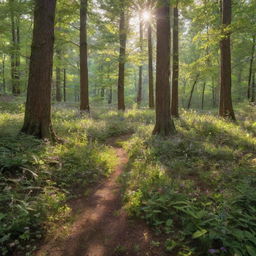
<point x="102" y="228"/>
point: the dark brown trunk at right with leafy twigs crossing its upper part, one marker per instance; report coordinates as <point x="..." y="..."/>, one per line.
<point x="226" y="107"/>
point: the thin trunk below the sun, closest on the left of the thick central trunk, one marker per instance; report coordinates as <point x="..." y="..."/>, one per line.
<point x="151" y="97"/>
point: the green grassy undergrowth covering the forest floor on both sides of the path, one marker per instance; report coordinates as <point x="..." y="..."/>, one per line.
<point x="197" y="187"/>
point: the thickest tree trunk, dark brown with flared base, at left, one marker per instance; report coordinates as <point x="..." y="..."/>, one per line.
<point x="37" y="119"/>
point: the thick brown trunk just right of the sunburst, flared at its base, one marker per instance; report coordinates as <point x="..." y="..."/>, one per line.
<point x="164" y="123"/>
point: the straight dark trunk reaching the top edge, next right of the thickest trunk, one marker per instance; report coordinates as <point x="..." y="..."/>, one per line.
<point x="84" y="80"/>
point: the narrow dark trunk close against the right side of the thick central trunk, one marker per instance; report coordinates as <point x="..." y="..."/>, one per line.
<point x="175" y="65"/>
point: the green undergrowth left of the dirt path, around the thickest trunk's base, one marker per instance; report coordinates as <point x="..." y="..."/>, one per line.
<point x="37" y="178"/>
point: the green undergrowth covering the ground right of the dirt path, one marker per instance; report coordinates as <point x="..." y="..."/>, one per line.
<point x="197" y="187"/>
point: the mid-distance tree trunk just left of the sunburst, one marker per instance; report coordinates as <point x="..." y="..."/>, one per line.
<point x="122" y="60"/>
